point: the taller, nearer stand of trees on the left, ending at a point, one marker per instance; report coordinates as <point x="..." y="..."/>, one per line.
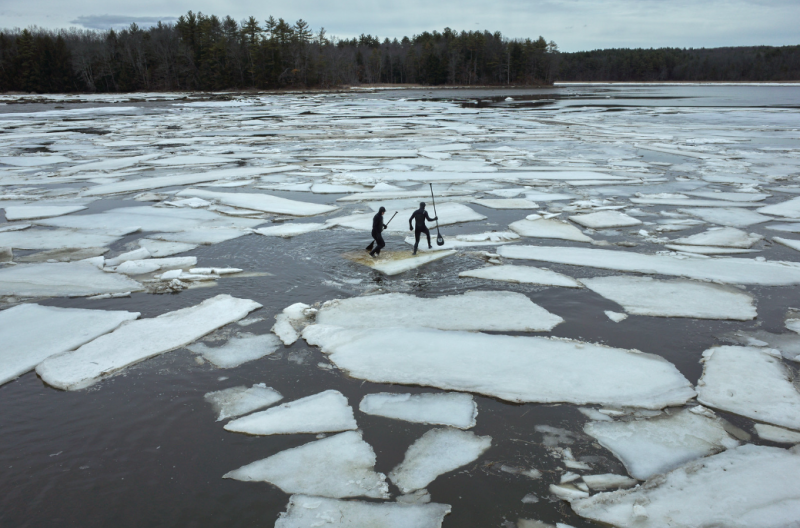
<point x="201" y="52"/>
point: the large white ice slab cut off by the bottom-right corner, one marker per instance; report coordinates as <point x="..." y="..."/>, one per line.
<point x="746" y="487"/>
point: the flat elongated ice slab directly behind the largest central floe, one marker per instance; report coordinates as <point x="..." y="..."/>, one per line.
<point x="491" y="310"/>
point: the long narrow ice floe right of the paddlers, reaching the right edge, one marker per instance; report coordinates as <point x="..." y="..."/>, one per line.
<point x="729" y="270"/>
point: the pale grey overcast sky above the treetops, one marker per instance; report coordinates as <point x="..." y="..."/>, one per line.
<point x="573" y="24"/>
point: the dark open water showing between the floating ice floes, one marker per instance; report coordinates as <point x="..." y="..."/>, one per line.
<point x="143" y="449"/>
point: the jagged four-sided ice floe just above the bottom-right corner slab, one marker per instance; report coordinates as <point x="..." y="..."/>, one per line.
<point x="660" y="444"/>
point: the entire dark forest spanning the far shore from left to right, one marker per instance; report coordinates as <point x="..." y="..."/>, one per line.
<point x="201" y="52"/>
